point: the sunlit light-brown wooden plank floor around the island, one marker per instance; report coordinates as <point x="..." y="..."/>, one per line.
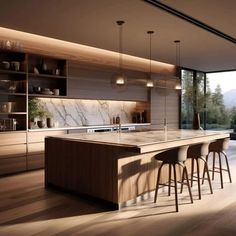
<point x="26" y="208"/>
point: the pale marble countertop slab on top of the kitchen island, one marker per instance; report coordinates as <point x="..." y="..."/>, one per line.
<point x="146" y="141"/>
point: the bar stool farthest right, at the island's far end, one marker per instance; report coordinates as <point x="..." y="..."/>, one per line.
<point x="219" y="147"/>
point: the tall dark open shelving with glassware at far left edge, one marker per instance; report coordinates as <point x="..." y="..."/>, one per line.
<point x="13" y="79"/>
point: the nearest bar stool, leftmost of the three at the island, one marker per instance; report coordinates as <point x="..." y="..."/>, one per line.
<point x="173" y="157"/>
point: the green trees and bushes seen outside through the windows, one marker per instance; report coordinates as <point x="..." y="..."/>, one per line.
<point x="212" y="102"/>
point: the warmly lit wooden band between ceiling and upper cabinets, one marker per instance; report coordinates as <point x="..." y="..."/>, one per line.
<point x="32" y="43"/>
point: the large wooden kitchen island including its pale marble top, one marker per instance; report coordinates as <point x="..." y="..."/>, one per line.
<point x="115" y="167"/>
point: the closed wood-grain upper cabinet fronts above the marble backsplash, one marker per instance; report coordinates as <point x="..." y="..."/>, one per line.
<point x="98" y="83"/>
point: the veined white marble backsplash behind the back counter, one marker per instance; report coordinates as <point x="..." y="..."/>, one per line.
<point x="77" y="112"/>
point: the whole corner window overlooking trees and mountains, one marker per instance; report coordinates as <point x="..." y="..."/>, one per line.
<point x="212" y="95"/>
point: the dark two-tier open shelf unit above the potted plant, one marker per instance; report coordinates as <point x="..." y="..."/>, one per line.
<point x="47" y="77"/>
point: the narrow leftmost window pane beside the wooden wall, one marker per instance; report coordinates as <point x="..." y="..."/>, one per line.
<point x="187" y="99"/>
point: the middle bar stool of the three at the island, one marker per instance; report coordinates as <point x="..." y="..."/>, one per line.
<point x="196" y="153"/>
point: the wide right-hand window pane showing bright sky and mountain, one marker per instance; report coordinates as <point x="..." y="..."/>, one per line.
<point x="221" y="100"/>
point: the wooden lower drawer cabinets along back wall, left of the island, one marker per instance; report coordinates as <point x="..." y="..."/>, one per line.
<point x="17" y="155"/>
